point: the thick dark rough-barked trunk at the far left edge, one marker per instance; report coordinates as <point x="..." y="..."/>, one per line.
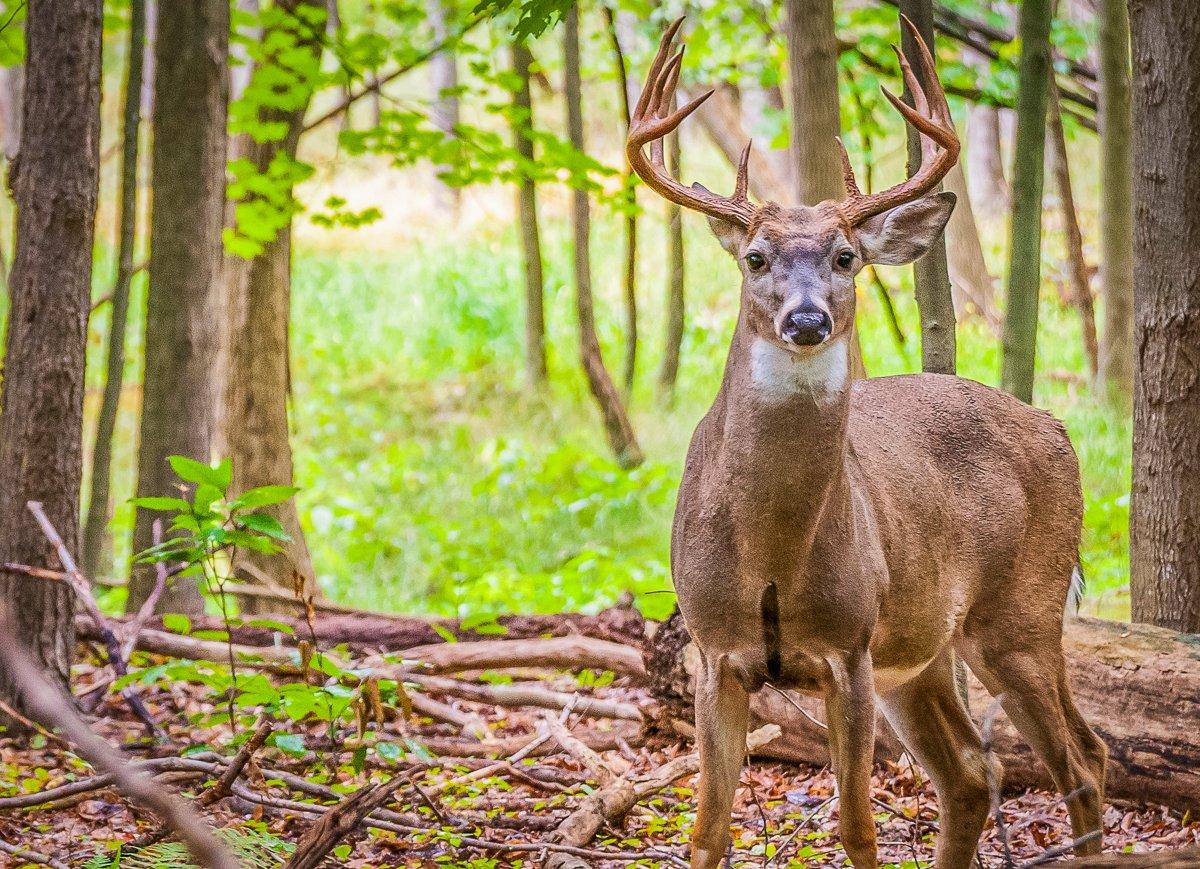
<point x="55" y="183"/>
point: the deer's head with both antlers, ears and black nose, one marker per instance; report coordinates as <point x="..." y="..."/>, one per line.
<point x="799" y="265"/>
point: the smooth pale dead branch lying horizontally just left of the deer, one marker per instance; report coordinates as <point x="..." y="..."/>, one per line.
<point x="562" y="654"/>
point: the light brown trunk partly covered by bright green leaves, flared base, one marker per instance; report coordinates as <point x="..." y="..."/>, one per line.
<point x="257" y="383"/>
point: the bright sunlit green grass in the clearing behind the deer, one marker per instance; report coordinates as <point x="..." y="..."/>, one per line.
<point x="434" y="482"/>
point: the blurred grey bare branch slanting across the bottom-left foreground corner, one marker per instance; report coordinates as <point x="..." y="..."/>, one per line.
<point x="49" y="705"/>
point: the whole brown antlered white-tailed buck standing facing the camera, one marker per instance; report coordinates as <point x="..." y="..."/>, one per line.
<point x="847" y="540"/>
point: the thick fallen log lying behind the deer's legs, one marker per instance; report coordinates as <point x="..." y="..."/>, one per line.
<point x="1138" y="686"/>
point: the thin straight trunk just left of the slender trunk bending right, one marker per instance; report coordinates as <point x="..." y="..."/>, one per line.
<point x="527" y="213"/>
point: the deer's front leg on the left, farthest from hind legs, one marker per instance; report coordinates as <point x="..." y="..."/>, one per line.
<point x="723" y="714"/>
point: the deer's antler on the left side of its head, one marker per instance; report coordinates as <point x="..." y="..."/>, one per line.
<point x="653" y="119"/>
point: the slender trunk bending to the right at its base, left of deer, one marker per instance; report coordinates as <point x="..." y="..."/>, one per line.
<point x="616" y="419"/>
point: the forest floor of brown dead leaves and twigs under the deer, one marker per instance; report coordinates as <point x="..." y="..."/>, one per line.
<point x="478" y="804"/>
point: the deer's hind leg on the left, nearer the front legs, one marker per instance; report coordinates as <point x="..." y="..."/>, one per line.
<point x="928" y="716"/>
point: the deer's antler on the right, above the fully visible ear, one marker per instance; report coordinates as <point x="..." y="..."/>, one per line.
<point x="939" y="141"/>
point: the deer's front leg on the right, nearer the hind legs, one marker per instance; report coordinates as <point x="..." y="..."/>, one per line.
<point x="850" y="714"/>
